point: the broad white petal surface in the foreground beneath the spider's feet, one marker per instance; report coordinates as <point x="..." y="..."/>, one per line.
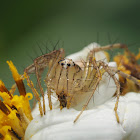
<point x="96" y="124"/>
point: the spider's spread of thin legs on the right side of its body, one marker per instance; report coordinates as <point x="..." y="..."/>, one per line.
<point x="100" y="67"/>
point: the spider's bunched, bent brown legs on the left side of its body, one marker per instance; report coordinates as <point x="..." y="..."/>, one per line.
<point x="40" y="63"/>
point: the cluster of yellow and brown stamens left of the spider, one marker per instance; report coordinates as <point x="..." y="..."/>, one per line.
<point x="15" y="111"/>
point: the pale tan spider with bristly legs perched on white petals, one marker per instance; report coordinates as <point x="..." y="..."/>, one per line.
<point x="69" y="81"/>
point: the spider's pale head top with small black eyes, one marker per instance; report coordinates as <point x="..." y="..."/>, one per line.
<point x="66" y="63"/>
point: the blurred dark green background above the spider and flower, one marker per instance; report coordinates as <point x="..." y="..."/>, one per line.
<point x="25" y="24"/>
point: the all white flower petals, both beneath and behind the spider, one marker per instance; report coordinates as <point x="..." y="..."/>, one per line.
<point x="96" y="123"/>
